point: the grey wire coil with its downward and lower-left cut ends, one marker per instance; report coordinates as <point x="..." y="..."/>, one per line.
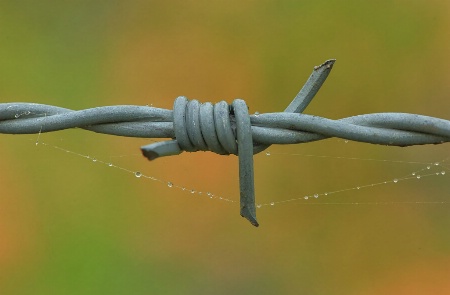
<point x="222" y="129"/>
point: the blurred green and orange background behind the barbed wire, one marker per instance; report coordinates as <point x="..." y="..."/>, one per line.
<point x="72" y="226"/>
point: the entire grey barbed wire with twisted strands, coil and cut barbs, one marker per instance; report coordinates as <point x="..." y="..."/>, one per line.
<point x="228" y="129"/>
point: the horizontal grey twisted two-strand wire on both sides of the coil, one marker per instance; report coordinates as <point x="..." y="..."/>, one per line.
<point x="396" y="129"/>
